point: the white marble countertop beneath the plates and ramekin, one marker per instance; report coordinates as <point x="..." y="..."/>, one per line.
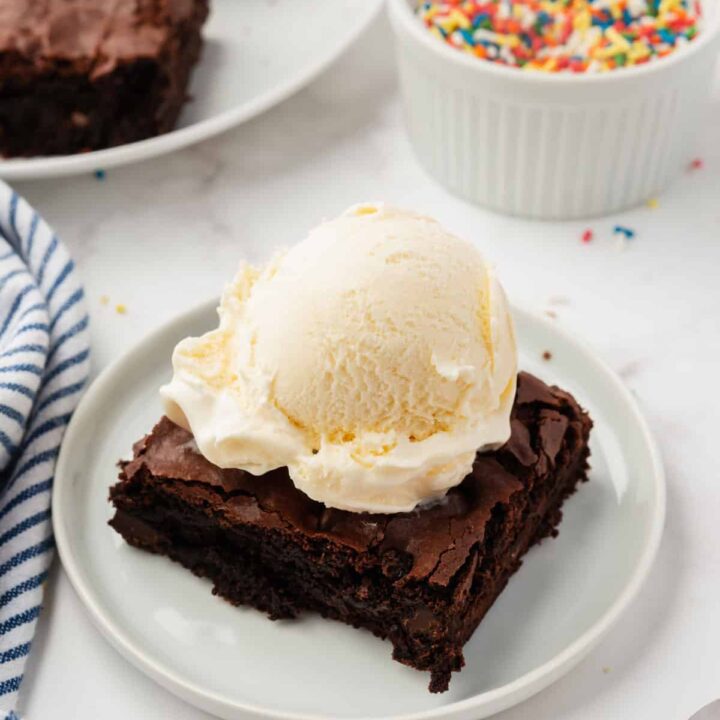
<point x="161" y="236"/>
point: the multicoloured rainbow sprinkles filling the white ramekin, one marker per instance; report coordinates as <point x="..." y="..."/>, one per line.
<point x="573" y="36"/>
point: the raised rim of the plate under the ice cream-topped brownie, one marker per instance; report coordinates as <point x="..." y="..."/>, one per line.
<point x="487" y="703"/>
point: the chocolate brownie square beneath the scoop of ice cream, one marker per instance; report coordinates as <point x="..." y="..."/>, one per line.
<point x="422" y="579"/>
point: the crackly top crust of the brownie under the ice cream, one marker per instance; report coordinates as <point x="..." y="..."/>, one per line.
<point x="438" y="537"/>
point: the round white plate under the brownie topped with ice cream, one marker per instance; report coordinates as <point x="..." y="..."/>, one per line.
<point x="238" y="664"/>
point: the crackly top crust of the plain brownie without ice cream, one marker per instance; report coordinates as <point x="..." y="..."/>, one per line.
<point x="89" y="36"/>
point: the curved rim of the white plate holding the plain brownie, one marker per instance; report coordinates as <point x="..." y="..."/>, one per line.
<point x="53" y="166"/>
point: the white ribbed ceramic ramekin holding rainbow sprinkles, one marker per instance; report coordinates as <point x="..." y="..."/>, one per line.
<point x="551" y="146"/>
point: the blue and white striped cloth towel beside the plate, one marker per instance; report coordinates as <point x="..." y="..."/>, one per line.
<point x="44" y="362"/>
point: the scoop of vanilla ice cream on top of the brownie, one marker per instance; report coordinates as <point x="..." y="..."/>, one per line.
<point x="373" y="359"/>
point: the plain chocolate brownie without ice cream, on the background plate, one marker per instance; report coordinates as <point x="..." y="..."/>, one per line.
<point x="78" y="75"/>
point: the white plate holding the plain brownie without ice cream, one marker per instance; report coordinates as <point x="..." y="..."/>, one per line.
<point x="256" y="54"/>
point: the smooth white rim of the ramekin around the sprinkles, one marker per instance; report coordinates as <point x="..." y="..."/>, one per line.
<point x="405" y="20"/>
